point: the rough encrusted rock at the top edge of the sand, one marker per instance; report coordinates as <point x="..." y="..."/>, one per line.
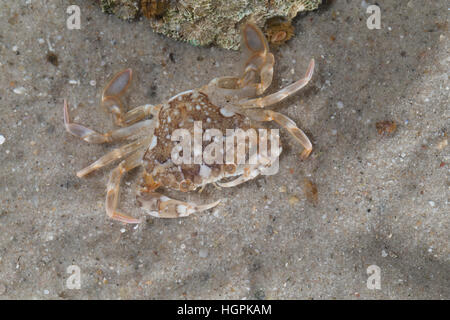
<point x="204" y="22"/>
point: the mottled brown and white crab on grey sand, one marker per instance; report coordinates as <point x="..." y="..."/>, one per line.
<point x="223" y="103"/>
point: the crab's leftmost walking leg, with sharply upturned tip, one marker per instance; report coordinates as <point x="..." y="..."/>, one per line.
<point x="92" y="136"/>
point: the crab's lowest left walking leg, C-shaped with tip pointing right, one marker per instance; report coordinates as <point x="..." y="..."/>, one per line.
<point x="113" y="186"/>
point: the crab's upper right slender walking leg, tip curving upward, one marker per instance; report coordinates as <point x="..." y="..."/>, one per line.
<point x="282" y="94"/>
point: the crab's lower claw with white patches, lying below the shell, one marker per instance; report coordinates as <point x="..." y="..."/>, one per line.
<point x="160" y="206"/>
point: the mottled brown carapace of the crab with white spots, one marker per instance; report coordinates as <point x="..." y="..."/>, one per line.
<point x="181" y="112"/>
